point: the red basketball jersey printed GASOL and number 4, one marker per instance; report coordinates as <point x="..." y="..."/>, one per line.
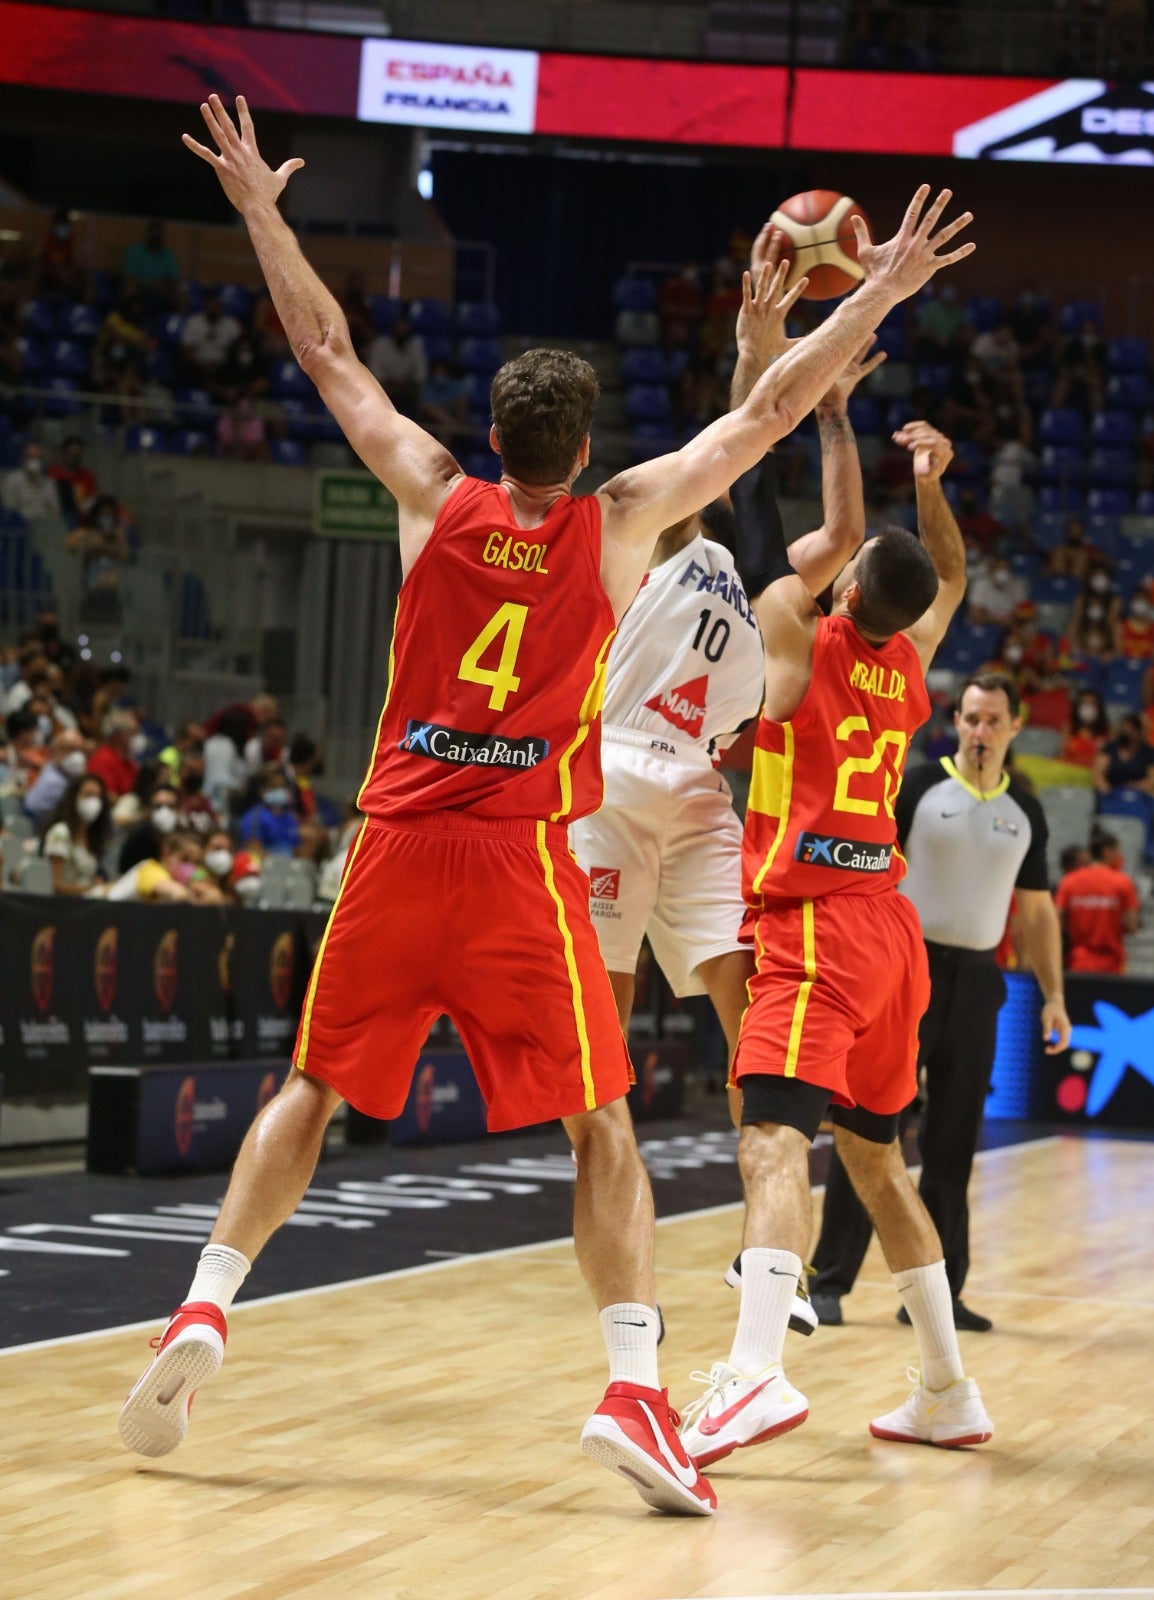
<point x="497" y="671"/>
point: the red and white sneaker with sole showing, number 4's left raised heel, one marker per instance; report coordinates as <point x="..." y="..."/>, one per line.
<point x="156" y="1415"/>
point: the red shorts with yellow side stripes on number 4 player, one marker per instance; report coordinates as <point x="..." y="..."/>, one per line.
<point x="489" y="924"/>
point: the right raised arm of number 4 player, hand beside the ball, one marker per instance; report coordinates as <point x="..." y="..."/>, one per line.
<point x="639" y="503"/>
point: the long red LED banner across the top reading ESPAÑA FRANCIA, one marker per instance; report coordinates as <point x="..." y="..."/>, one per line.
<point x="524" y="94"/>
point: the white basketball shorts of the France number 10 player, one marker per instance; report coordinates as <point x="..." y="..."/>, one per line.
<point x="663" y="858"/>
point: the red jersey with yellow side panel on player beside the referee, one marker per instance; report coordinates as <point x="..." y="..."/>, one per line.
<point x="820" y="817"/>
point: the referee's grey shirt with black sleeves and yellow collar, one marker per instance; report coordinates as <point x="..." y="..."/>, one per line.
<point x="968" y="852"/>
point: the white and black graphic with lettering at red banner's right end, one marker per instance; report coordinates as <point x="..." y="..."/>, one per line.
<point x="1078" y="121"/>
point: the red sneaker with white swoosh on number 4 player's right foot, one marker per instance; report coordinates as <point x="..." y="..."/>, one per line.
<point x="635" y="1433"/>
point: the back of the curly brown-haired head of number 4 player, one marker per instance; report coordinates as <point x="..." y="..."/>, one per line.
<point x="543" y="406"/>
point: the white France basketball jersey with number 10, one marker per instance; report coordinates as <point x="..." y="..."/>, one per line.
<point x="687" y="662"/>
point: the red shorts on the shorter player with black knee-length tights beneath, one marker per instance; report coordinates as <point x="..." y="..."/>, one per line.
<point x="836" y="999"/>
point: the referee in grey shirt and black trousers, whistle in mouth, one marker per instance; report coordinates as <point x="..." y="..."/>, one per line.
<point x="971" y="836"/>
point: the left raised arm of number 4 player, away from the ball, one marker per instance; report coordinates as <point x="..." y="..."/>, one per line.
<point x="414" y="466"/>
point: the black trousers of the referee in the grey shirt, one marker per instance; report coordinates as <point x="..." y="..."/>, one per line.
<point x="956" y="1049"/>
